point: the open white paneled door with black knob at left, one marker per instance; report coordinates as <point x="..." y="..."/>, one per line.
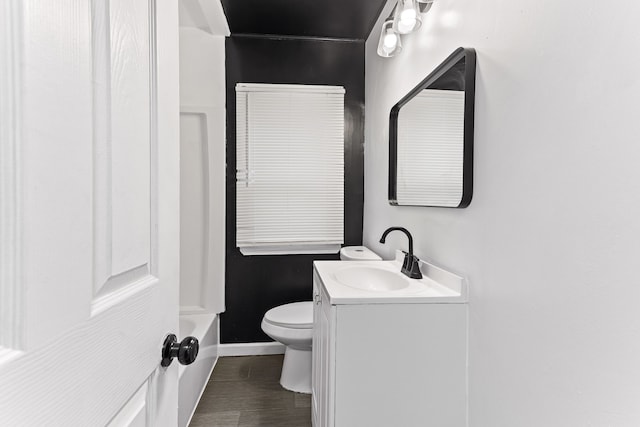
<point x="89" y="211"/>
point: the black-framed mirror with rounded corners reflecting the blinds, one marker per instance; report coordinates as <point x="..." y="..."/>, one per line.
<point x="431" y="137"/>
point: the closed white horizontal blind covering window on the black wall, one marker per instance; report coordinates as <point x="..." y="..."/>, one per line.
<point x="290" y="169"/>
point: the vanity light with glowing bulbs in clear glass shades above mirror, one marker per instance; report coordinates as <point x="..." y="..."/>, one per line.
<point x="404" y="19"/>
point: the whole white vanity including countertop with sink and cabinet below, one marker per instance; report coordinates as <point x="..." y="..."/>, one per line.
<point x="388" y="350"/>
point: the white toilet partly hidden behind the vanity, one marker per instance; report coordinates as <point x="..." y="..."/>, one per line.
<point x="292" y="325"/>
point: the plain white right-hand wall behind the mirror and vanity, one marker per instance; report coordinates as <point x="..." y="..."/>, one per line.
<point x="551" y="240"/>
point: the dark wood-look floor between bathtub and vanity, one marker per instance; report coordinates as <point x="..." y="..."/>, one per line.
<point x="246" y="392"/>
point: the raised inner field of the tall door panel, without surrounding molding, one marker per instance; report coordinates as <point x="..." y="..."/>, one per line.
<point x="130" y="136"/>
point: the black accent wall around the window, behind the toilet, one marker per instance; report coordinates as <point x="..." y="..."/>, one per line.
<point x="255" y="284"/>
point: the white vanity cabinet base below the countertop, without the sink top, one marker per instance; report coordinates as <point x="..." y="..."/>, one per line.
<point x="388" y="364"/>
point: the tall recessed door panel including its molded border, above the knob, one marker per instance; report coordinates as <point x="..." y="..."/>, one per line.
<point x="123" y="143"/>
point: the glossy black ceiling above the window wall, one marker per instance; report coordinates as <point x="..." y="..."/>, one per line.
<point x="341" y="19"/>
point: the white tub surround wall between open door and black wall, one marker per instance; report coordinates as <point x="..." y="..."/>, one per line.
<point x="202" y="175"/>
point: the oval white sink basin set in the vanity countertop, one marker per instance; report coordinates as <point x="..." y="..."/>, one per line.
<point x="371" y="278"/>
